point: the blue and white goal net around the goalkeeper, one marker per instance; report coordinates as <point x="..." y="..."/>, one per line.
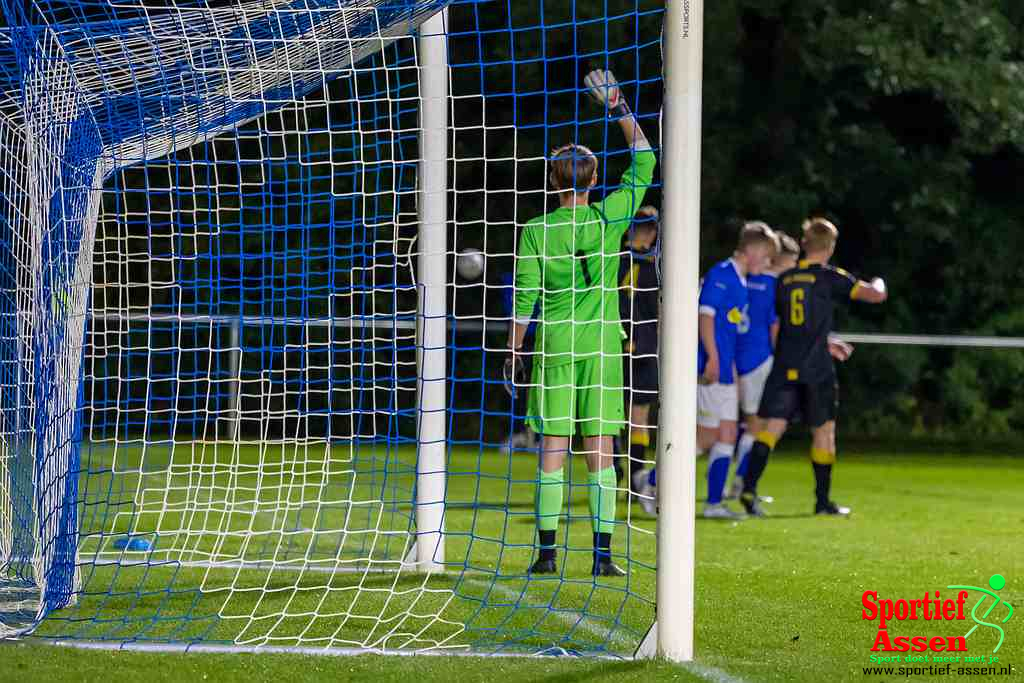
<point x="215" y="332"/>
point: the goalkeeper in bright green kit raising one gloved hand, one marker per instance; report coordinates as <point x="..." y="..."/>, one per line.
<point x="569" y="261"/>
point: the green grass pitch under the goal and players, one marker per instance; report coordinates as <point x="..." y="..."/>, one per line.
<point x="778" y="600"/>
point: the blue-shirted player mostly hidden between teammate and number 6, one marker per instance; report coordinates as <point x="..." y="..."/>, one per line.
<point x="756" y="348"/>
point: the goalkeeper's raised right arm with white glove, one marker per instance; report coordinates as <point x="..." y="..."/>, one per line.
<point x="620" y="206"/>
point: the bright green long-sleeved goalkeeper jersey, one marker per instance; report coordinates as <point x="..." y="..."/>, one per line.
<point x="569" y="260"/>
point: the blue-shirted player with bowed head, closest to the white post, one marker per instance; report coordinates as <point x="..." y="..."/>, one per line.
<point x="722" y="306"/>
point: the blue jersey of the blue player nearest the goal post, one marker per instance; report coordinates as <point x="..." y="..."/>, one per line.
<point x="724" y="296"/>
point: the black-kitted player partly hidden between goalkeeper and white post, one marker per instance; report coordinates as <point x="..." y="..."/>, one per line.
<point x="638" y="302"/>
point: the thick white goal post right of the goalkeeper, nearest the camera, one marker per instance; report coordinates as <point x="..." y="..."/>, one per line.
<point x="680" y="272"/>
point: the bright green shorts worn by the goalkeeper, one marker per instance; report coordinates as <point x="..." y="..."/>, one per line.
<point x="584" y="397"/>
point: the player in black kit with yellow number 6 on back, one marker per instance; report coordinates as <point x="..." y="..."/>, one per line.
<point x="803" y="378"/>
